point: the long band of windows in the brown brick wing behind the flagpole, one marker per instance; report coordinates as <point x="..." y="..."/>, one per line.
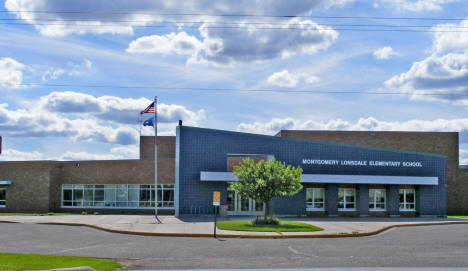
<point x="117" y="196"/>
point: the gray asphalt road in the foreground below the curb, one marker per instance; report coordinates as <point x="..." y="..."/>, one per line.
<point x="428" y="246"/>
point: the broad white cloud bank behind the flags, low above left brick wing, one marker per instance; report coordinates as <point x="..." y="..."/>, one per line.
<point x="83" y="117"/>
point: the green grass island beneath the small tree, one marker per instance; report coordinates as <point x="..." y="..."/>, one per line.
<point x="246" y="225"/>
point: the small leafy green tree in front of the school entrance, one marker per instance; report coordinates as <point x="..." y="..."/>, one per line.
<point x="266" y="180"/>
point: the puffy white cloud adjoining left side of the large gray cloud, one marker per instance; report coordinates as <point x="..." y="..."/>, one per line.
<point x="180" y="43"/>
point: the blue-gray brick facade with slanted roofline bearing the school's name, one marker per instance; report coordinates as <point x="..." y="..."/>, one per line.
<point x="206" y="150"/>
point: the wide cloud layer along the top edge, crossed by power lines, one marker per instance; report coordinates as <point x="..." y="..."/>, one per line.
<point x="107" y="15"/>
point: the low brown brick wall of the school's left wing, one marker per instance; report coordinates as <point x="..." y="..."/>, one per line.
<point x="37" y="185"/>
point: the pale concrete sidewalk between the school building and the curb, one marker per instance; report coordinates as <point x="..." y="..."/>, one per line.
<point x="204" y="226"/>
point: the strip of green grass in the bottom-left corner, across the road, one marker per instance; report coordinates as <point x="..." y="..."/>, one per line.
<point x="16" y="262"/>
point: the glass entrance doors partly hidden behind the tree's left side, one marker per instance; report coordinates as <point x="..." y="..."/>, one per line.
<point x="236" y="205"/>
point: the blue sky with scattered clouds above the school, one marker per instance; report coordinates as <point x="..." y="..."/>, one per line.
<point x="74" y="74"/>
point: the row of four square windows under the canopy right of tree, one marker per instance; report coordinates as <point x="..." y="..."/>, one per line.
<point x="315" y="199"/>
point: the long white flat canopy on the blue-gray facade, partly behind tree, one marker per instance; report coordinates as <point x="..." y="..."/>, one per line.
<point x="211" y="176"/>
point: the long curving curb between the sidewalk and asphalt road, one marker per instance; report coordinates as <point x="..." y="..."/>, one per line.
<point x="170" y="234"/>
